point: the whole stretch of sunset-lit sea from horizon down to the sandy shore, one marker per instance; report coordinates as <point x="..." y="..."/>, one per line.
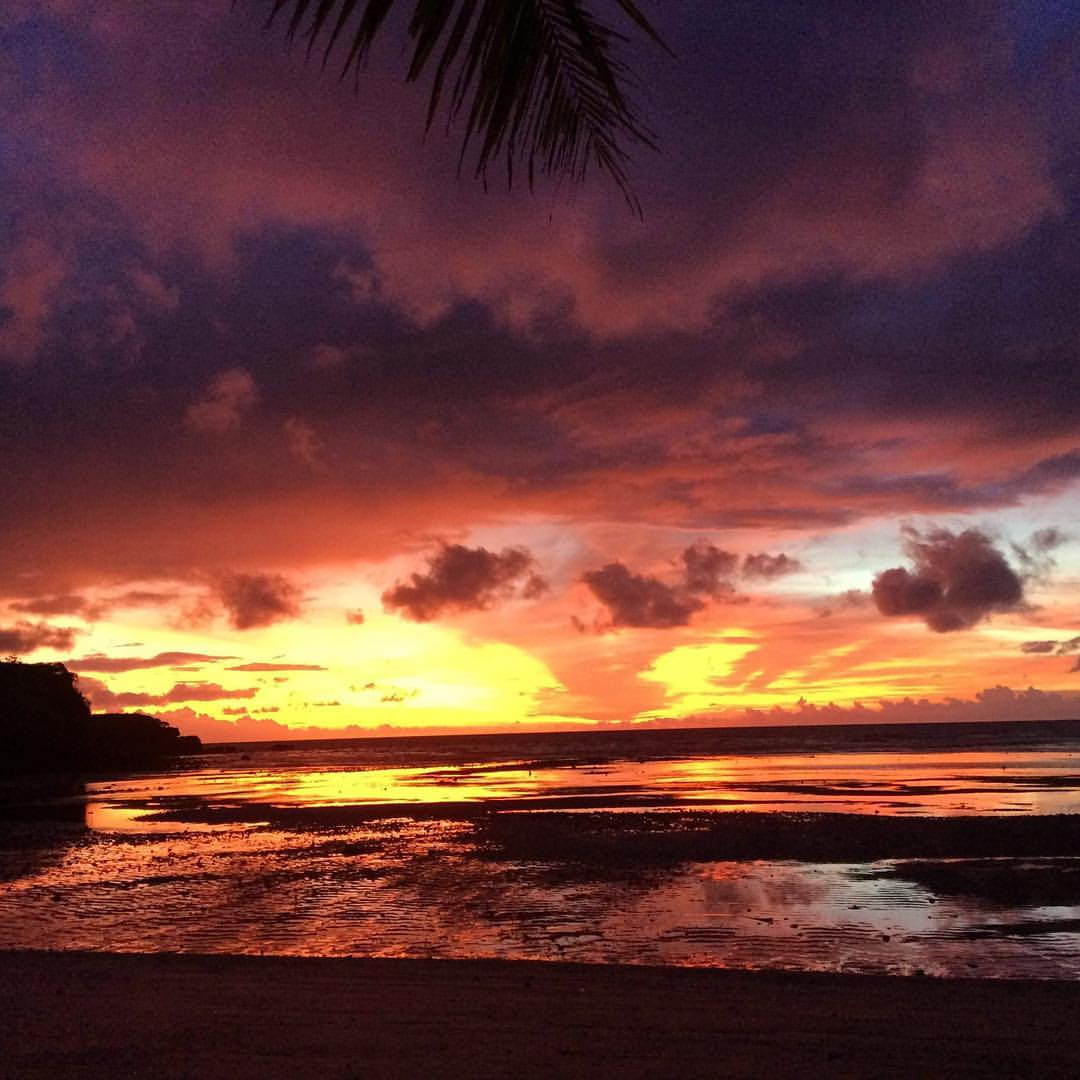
<point x="938" y="849"/>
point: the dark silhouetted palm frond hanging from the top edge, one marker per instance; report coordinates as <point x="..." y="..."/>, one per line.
<point x="534" y="83"/>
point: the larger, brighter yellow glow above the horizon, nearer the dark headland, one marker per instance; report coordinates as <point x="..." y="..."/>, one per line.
<point x="387" y="671"/>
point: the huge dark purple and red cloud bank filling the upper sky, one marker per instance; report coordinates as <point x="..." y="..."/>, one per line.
<point x="846" y="240"/>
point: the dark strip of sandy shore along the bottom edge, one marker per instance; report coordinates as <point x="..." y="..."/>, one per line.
<point x="101" y="1016"/>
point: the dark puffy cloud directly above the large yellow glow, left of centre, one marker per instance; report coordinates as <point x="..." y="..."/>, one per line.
<point x="465" y="579"/>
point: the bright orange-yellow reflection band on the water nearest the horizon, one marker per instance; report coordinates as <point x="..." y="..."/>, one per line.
<point x="970" y="782"/>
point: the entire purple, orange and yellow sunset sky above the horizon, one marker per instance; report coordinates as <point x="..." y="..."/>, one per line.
<point x="304" y="431"/>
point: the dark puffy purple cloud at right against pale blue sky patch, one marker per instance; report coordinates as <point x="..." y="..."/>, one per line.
<point x="957" y="580"/>
